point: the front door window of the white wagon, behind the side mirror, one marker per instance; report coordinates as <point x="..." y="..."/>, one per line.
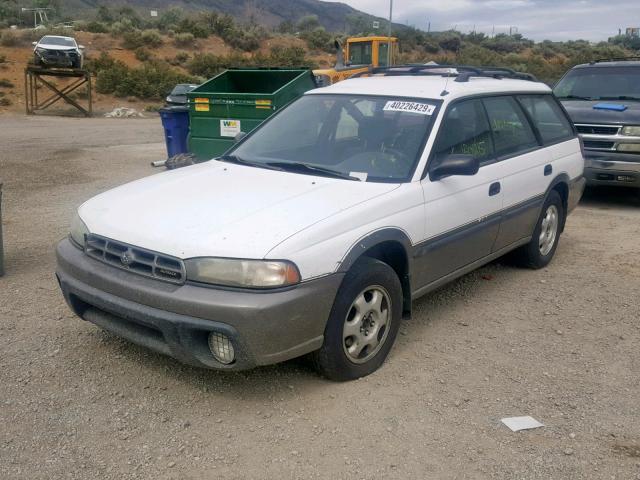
<point x="465" y="130"/>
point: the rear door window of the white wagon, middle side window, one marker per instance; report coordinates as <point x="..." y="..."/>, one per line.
<point x="512" y="133"/>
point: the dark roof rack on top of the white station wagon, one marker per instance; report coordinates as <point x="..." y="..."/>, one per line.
<point x="462" y="73"/>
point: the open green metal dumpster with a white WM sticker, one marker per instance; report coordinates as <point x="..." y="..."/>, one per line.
<point x="238" y="100"/>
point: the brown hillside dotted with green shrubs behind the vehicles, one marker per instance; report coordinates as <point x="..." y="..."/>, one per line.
<point x="136" y="59"/>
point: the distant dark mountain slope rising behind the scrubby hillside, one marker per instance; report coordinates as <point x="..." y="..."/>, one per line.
<point x="332" y="15"/>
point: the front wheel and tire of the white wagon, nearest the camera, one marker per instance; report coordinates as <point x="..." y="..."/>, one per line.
<point x="363" y="323"/>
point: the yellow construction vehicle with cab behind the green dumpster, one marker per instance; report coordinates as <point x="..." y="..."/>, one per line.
<point x="361" y="54"/>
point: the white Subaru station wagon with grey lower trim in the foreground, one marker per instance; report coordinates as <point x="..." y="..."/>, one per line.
<point x="316" y="231"/>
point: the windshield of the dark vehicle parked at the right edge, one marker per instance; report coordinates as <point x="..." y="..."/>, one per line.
<point x="600" y="83"/>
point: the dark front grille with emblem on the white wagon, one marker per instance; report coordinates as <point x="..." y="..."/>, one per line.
<point x="135" y="259"/>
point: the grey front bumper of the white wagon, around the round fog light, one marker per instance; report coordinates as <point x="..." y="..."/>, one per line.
<point x="265" y="327"/>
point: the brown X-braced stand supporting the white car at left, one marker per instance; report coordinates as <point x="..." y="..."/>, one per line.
<point x="35" y="77"/>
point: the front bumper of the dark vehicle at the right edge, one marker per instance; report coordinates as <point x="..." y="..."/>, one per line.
<point x="610" y="168"/>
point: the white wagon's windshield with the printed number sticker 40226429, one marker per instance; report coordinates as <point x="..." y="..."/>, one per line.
<point x="375" y="139"/>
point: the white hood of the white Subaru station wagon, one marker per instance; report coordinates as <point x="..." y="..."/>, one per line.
<point x="220" y="209"/>
